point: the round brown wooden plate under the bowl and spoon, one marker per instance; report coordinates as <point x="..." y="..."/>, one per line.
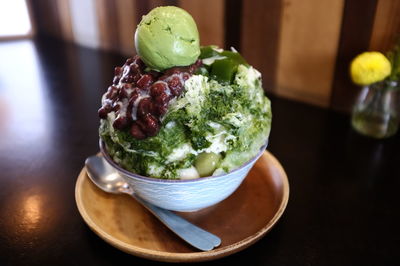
<point x="250" y="212"/>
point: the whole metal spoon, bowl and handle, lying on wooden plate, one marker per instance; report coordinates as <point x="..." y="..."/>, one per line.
<point x="107" y="179"/>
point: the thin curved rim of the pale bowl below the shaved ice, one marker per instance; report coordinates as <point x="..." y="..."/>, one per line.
<point x="107" y="157"/>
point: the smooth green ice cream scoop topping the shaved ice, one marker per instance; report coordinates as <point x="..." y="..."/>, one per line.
<point x="166" y="37"/>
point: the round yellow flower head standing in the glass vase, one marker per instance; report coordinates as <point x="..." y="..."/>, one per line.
<point x="369" y="67"/>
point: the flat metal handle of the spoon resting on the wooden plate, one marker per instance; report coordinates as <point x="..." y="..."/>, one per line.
<point x="189" y="232"/>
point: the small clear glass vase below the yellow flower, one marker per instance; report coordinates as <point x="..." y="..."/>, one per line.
<point x="376" y="111"/>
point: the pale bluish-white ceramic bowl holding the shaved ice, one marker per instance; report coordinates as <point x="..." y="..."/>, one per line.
<point x="184" y="195"/>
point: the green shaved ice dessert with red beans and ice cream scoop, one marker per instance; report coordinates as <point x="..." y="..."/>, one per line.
<point x="180" y="111"/>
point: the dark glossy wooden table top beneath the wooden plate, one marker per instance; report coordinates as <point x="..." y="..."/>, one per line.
<point x="344" y="203"/>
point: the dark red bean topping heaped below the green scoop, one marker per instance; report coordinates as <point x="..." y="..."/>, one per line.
<point x="131" y="82"/>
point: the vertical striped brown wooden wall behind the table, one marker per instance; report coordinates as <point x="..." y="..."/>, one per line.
<point x="302" y="47"/>
